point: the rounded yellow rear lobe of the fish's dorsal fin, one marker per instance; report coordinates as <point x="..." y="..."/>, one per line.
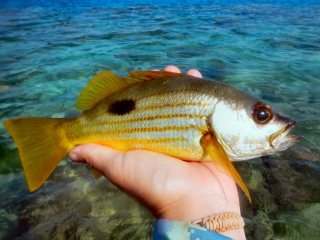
<point x="100" y="86"/>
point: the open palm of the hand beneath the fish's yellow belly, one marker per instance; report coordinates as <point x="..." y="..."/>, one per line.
<point x="173" y="184"/>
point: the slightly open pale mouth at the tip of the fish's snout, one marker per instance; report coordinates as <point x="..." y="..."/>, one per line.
<point x="281" y="139"/>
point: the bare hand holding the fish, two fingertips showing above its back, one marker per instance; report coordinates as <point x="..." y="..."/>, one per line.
<point x="170" y="188"/>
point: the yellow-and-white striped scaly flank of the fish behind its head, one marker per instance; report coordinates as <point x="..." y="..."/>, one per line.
<point x="151" y="127"/>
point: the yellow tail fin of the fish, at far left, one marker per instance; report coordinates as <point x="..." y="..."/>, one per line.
<point x="41" y="146"/>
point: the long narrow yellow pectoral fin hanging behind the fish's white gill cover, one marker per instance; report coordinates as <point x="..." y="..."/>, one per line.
<point x="215" y="151"/>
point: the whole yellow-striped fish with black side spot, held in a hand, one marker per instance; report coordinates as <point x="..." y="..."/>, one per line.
<point x="175" y="114"/>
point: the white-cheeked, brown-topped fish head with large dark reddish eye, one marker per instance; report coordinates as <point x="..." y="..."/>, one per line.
<point x="248" y="128"/>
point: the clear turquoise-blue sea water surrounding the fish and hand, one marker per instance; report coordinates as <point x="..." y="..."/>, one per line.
<point x="49" y="50"/>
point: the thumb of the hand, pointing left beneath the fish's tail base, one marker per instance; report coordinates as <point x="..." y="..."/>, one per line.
<point x="104" y="159"/>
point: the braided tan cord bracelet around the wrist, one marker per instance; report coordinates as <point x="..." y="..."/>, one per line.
<point x="221" y="222"/>
